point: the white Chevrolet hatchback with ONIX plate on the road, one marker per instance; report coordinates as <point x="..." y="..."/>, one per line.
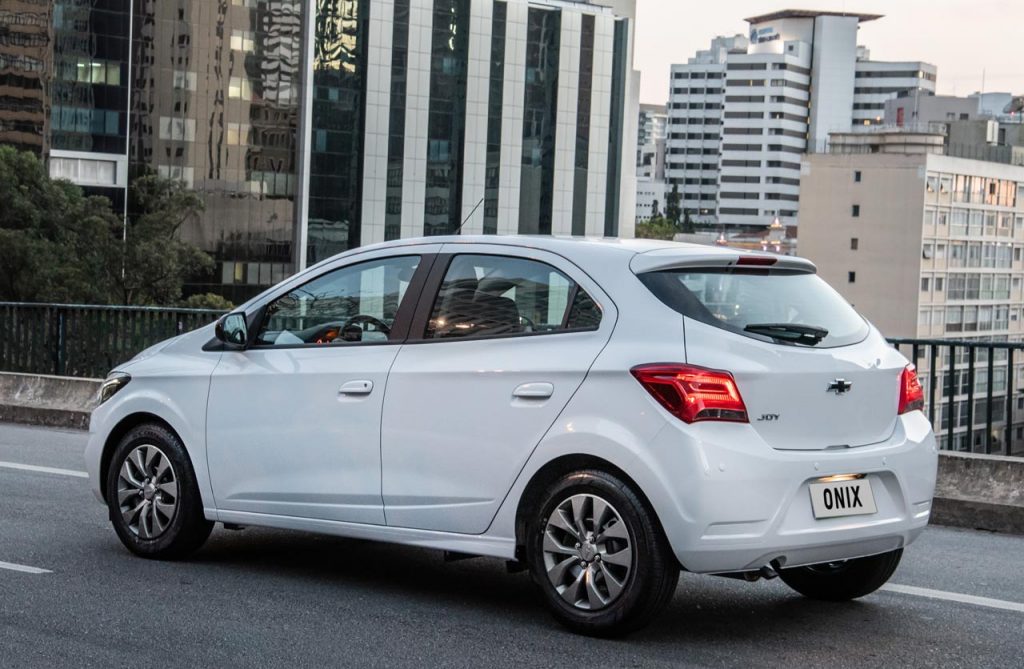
<point x="602" y="413"/>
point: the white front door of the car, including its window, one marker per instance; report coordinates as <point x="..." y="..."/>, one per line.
<point x="294" y="422"/>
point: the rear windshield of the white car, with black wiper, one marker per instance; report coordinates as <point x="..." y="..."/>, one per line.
<point x="795" y="309"/>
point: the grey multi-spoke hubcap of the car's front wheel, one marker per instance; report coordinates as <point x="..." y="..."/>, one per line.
<point x="148" y="492"/>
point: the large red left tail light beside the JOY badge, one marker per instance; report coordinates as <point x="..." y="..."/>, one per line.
<point x="694" y="394"/>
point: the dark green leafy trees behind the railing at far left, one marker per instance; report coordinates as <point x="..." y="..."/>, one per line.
<point x="58" y="245"/>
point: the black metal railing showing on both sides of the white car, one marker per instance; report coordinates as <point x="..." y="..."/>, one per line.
<point x="974" y="391"/>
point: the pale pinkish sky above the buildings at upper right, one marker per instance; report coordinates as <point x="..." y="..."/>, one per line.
<point x="961" y="37"/>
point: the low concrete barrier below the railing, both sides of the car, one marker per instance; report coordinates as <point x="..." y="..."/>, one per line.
<point x="985" y="492"/>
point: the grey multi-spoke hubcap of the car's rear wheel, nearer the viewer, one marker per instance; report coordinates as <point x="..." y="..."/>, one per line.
<point x="588" y="553"/>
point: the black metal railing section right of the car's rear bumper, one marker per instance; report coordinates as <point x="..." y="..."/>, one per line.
<point x="970" y="393"/>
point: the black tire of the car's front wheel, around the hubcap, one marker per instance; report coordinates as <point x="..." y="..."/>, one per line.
<point x="186" y="529"/>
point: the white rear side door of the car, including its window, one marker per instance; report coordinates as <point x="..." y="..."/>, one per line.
<point x="506" y="337"/>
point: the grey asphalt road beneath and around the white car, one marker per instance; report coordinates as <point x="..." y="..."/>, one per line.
<point x="263" y="598"/>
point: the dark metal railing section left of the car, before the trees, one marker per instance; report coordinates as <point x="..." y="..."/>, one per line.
<point x="86" y="341"/>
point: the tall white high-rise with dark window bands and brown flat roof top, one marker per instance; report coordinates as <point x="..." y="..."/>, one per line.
<point x="743" y="112"/>
